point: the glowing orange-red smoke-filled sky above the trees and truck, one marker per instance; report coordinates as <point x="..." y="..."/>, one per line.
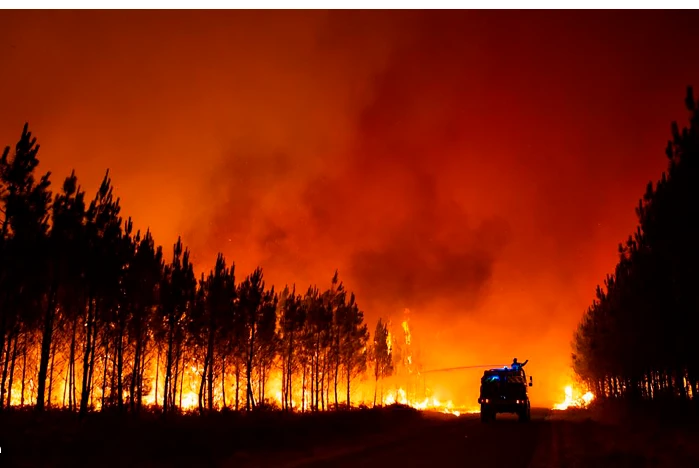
<point x="478" y="168"/>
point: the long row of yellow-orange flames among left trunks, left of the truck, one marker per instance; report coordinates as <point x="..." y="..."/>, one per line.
<point x="187" y="385"/>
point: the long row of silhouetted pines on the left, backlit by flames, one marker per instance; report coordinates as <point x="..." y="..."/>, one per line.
<point x="92" y="315"/>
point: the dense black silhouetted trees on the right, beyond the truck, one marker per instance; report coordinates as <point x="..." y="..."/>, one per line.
<point x="639" y="338"/>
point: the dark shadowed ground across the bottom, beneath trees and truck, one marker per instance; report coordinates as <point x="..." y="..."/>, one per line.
<point x="401" y="437"/>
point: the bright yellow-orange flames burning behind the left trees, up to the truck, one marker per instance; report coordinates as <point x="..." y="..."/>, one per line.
<point x="405" y="386"/>
